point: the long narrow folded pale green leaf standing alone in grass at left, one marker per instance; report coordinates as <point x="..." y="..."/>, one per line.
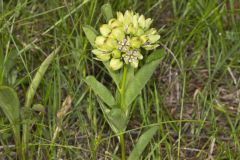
<point x="38" y="78"/>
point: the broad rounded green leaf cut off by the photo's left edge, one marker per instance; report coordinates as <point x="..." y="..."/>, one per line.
<point x="9" y="103"/>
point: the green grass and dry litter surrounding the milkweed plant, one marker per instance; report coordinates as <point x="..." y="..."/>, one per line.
<point x="193" y="97"/>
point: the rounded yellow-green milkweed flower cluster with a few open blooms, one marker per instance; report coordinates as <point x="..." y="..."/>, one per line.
<point x="122" y="38"/>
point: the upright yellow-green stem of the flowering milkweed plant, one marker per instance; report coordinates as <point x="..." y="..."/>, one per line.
<point x="122" y="105"/>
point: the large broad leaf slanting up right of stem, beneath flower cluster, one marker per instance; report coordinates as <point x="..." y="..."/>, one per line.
<point x="139" y="81"/>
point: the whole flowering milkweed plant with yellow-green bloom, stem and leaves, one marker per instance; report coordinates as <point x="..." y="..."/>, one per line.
<point x="127" y="47"/>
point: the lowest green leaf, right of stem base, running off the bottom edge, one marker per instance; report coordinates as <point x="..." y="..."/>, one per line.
<point x="142" y="143"/>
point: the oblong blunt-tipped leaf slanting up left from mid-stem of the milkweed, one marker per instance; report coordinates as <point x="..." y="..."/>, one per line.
<point x="101" y="91"/>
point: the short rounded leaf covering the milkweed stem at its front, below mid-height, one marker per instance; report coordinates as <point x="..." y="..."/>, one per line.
<point x="117" y="118"/>
